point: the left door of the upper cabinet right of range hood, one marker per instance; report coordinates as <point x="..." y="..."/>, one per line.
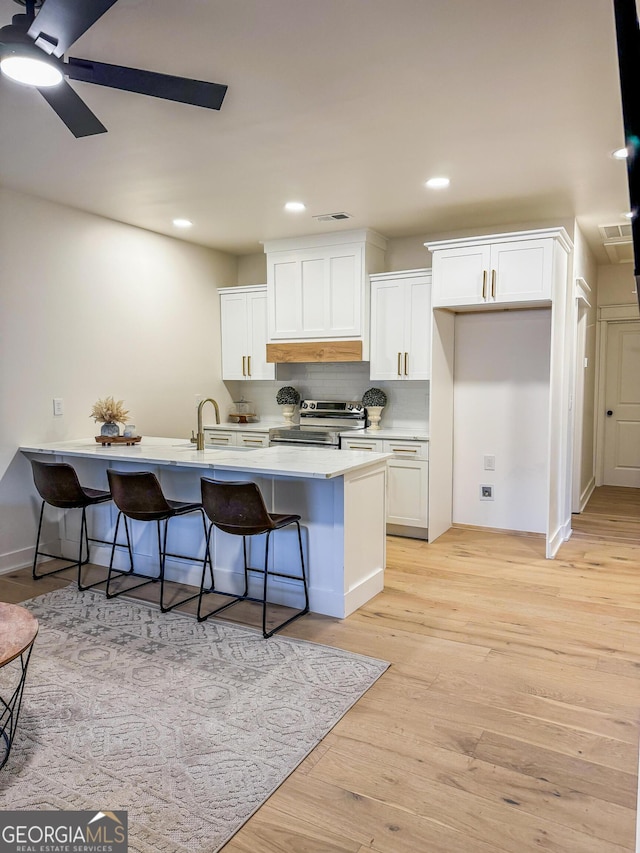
<point x="387" y="329"/>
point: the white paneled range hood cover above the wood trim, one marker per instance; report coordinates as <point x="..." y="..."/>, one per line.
<point x="317" y="285"/>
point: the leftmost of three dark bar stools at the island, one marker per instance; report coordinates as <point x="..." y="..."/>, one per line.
<point x="58" y="485"/>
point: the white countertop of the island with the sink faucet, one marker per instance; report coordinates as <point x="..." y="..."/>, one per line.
<point x="279" y="461"/>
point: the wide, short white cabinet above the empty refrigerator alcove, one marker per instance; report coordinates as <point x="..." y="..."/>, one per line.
<point x="501" y="270"/>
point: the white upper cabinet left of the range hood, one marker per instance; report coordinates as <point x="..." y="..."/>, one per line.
<point x="243" y="321"/>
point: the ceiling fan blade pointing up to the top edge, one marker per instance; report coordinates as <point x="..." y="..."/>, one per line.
<point x="60" y="23"/>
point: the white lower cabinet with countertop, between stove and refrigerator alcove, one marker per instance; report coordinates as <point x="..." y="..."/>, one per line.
<point x="408" y="482"/>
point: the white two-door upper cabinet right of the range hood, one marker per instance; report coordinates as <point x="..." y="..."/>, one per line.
<point x="401" y="325"/>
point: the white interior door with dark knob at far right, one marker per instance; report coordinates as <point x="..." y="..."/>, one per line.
<point x="622" y="421"/>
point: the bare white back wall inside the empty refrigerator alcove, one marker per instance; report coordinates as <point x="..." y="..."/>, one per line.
<point x="501" y="404"/>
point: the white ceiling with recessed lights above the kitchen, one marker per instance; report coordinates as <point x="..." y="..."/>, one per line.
<point x="347" y="105"/>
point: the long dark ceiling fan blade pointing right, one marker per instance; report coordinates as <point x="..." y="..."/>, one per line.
<point x="181" y="89"/>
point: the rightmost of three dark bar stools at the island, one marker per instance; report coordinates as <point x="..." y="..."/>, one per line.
<point x="239" y="509"/>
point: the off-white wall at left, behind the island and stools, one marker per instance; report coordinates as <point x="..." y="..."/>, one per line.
<point x="91" y="308"/>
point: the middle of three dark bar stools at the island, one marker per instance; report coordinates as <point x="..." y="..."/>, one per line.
<point x="139" y="496"/>
